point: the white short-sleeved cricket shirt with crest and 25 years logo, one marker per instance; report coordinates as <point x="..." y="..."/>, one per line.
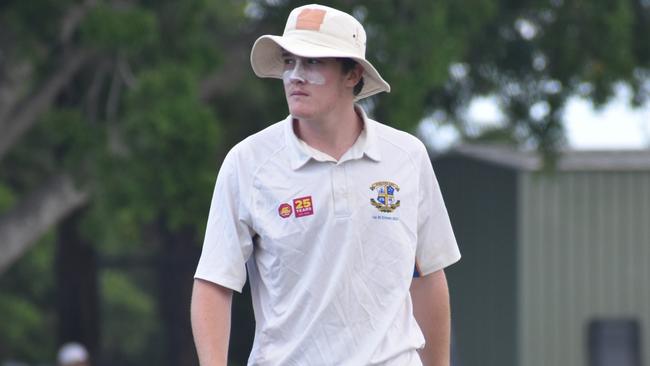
<point x="331" y="247"/>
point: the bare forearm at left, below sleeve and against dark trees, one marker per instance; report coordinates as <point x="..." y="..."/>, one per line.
<point x="211" y="322"/>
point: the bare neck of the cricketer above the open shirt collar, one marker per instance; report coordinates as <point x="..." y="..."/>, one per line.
<point x="332" y="134"/>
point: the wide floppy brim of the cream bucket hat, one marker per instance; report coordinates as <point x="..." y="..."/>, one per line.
<point x="266" y="59"/>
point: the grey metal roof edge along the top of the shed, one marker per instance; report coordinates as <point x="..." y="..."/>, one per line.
<point x="569" y="160"/>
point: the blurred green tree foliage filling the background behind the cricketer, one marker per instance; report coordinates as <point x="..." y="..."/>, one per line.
<point x="138" y="101"/>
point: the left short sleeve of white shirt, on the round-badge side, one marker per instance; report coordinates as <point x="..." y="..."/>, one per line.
<point x="228" y="241"/>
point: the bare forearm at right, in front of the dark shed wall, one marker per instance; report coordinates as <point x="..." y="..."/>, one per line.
<point x="431" y="308"/>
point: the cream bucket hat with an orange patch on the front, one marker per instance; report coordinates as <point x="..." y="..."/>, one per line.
<point x="317" y="31"/>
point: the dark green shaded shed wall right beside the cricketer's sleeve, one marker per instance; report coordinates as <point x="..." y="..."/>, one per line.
<point x="480" y="199"/>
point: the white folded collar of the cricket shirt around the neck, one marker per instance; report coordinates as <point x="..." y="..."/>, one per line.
<point x="366" y="144"/>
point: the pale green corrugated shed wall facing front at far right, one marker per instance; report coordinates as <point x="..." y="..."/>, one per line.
<point x="584" y="254"/>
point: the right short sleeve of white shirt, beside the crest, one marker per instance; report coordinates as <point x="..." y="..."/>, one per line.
<point x="436" y="247"/>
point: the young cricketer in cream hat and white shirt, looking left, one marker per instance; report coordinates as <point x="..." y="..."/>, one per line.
<point x="338" y="218"/>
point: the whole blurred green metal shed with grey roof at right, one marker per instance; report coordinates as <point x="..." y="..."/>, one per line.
<point x="546" y="254"/>
